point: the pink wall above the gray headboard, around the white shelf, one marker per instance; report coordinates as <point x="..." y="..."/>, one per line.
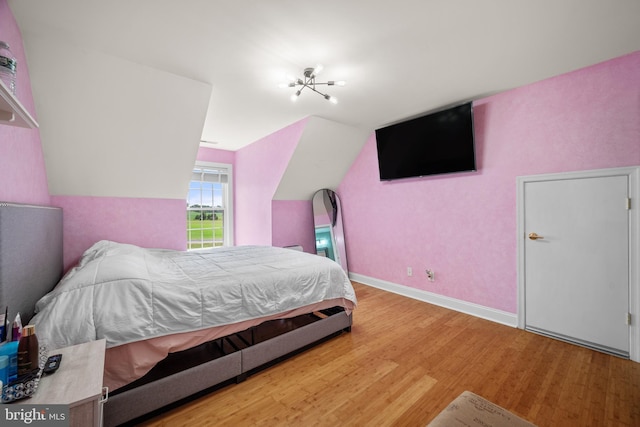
<point x="23" y="177"/>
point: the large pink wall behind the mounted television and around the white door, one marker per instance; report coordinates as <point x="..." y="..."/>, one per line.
<point x="463" y="226"/>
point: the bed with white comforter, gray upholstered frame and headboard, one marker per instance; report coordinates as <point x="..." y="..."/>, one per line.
<point x="177" y="323"/>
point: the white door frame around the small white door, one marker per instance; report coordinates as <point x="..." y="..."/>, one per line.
<point x="633" y="175"/>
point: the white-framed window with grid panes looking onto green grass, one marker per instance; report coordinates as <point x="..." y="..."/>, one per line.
<point x="209" y="207"/>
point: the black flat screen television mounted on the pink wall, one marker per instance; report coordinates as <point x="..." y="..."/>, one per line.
<point x="433" y="144"/>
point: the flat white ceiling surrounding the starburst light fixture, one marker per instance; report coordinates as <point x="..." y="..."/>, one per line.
<point x="399" y="58"/>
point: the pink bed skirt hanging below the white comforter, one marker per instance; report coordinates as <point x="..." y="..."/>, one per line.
<point x="126" y="363"/>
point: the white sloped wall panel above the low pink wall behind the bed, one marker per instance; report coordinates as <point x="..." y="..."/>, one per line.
<point x="111" y="127"/>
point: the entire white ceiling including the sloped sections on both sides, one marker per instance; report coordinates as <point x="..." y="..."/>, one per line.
<point x="125" y="90"/>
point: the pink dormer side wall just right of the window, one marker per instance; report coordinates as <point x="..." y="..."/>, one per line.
<point x="259" y="168"/>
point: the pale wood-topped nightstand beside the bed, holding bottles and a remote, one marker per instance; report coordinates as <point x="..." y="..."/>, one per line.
<point x="77" y="383"/>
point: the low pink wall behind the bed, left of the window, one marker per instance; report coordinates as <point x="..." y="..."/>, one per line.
<point x="150" y="223"/>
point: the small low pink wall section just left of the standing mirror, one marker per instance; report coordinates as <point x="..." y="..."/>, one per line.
<point x="292" y="224"/>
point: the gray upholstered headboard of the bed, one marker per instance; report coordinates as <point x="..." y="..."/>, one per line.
<point x="30" y="256"/>
